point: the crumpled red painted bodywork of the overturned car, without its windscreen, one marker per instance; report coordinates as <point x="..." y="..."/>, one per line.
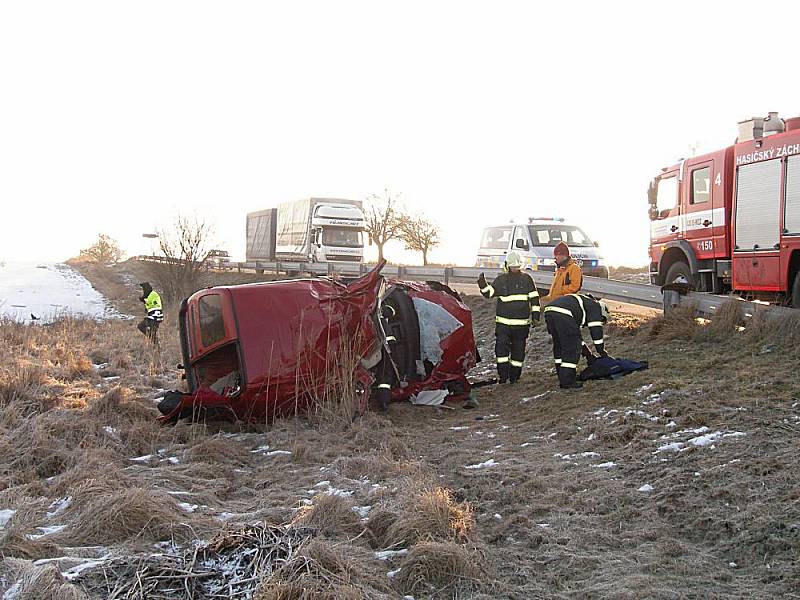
<point x="281" y="339"/>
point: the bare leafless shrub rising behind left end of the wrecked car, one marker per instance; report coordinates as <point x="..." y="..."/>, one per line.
<point x="185" y="248"/>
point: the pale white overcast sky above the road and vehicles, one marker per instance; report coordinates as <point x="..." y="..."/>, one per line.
<point x="115" y="117"/>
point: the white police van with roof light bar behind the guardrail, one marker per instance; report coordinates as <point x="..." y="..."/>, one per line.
<point x="535" y="242"/>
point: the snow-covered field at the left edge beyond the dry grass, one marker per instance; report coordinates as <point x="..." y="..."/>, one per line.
<point x="47" y="291"/>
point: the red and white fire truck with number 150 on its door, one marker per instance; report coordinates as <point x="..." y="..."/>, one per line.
<point x="730" y="219"/>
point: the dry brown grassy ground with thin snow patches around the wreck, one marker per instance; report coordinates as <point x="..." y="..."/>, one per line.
<point x="675" y="482"/>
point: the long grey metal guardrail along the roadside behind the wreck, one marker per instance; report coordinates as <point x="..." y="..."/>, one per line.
<point x="621" y="291"/>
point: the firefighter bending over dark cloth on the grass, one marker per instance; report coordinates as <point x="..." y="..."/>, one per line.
<point x="565" y="317"/>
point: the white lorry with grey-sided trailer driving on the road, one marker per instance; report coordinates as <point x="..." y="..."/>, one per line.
<point x="311" y="229"/>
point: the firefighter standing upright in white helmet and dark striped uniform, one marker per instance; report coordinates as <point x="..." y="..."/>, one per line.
<point x="517" y="305"/>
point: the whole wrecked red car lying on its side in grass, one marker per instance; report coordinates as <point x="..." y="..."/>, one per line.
<point x="257" y="351"/>
